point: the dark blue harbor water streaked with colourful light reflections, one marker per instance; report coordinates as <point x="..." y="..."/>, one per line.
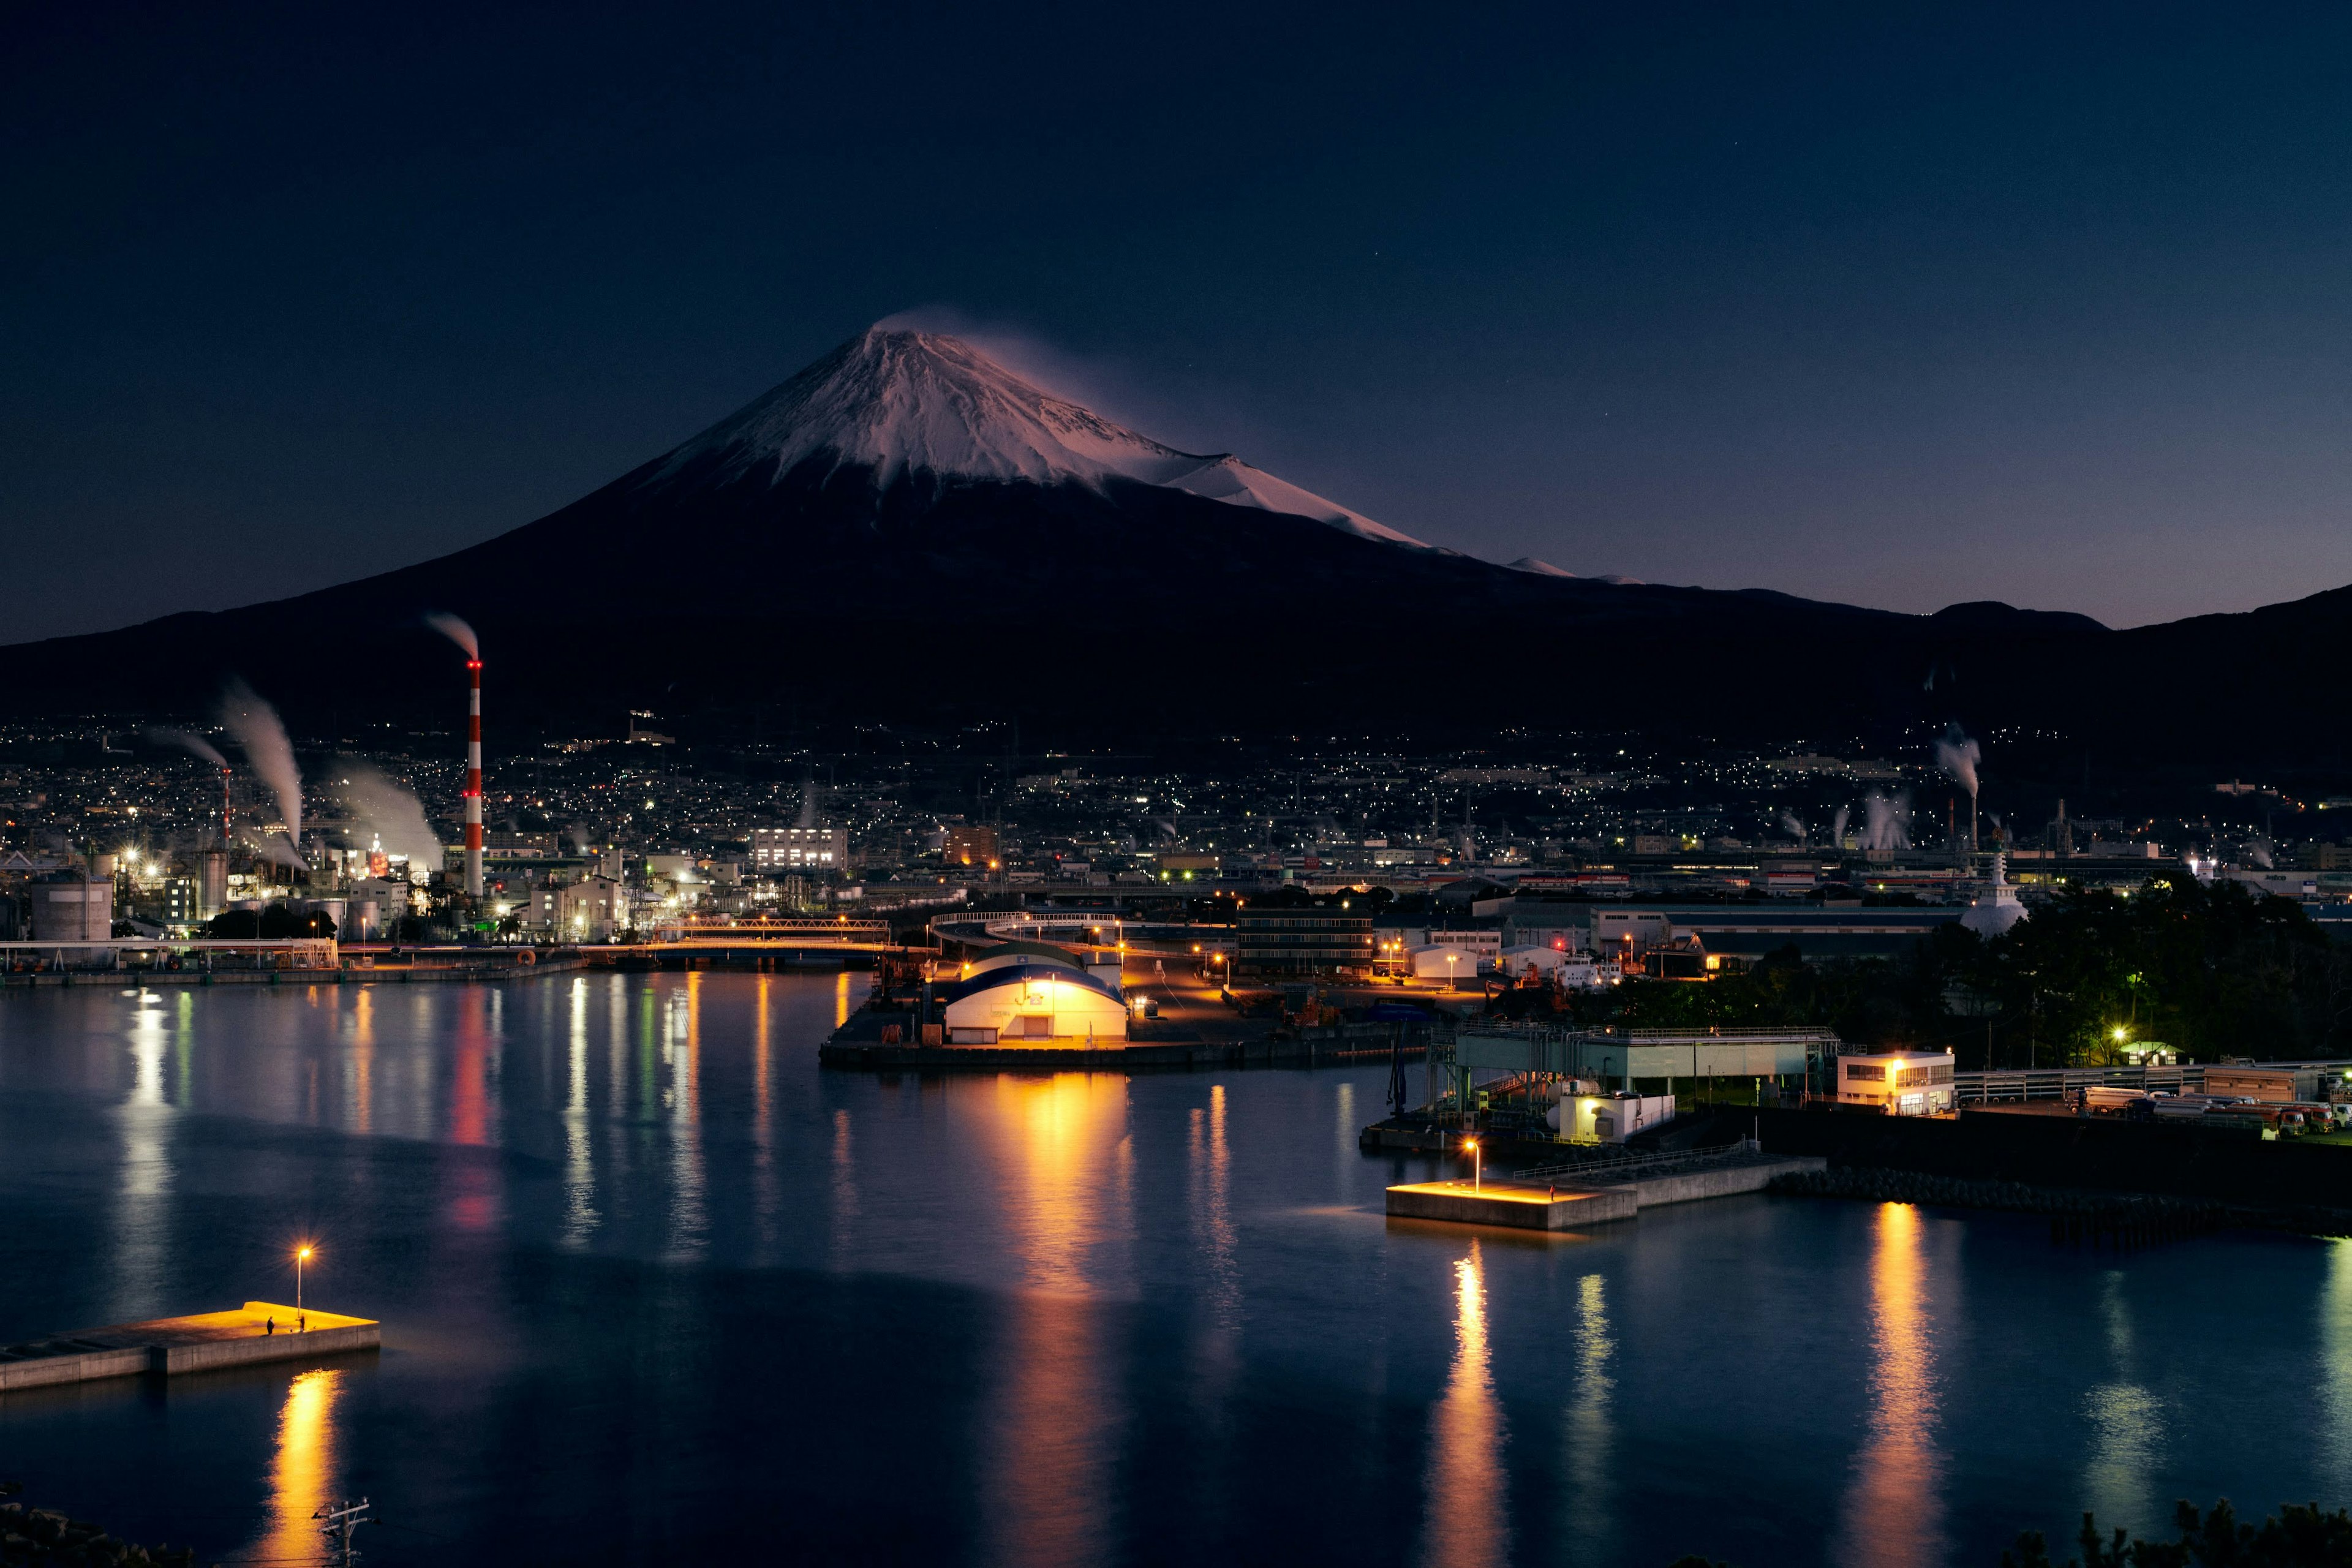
<point x="657" y="1289"/>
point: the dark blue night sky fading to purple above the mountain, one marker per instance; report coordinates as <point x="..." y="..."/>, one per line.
<point x="2043" y="304"/>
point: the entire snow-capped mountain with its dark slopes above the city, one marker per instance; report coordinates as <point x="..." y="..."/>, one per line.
<point x="911" y="535"/>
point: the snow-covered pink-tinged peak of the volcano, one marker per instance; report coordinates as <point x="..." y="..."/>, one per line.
<point x="921" y="403"/>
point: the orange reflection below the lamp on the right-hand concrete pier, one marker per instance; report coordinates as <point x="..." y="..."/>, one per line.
<point x="1466" y="1517"/>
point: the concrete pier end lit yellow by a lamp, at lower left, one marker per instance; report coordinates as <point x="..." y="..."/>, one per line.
<point x="175" y="1346"/>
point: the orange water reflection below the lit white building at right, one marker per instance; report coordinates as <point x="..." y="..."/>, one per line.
<point x="1895" y="1506"/>
